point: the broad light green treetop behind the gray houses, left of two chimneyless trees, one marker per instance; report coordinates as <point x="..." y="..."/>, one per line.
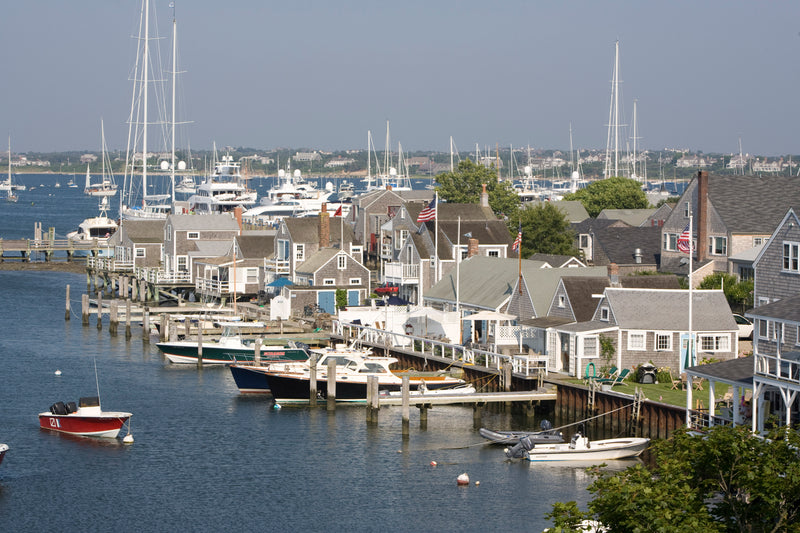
<point x="465" y="184"/>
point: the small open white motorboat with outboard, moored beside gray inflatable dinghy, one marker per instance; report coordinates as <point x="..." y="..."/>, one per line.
<point x="579" y="449"/>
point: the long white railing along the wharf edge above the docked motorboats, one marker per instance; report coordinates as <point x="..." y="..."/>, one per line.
<point x="526" y="365"/>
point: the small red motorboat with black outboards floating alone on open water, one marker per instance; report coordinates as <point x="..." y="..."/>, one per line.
<point x="85" y="419"/>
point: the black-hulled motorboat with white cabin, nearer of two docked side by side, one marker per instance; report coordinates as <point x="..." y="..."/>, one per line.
<point x="354" y="366"/>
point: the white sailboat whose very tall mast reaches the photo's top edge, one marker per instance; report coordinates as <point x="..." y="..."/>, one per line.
<point x="137" y="201"/>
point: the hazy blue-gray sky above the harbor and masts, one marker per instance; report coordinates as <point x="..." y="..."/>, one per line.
<point x="322" y="74"/>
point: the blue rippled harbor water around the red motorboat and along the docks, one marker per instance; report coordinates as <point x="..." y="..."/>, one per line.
<point x="206" y="458"/>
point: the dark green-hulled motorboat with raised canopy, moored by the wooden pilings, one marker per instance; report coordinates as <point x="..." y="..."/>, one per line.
<point x="231" y="347"/>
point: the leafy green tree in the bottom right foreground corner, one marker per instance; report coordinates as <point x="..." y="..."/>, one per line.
<point x="725" y="481"/>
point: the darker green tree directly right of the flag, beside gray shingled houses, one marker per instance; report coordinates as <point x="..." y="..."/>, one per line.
<point x="545" y="229"/>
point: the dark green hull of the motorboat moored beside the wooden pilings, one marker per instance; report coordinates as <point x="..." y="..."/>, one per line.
<point x="186" y="352"/>
